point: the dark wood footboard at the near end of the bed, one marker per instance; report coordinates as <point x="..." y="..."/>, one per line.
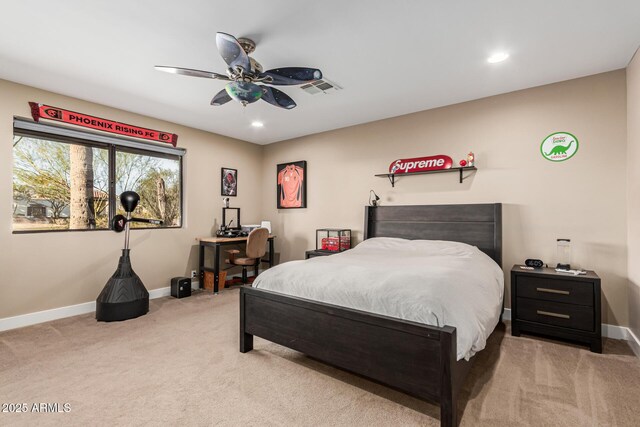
<point x="415" y="358"/>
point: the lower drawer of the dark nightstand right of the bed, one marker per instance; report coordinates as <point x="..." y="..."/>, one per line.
<point x="555" y="313"/>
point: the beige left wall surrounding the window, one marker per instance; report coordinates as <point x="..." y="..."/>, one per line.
<point x="49" y="270"/>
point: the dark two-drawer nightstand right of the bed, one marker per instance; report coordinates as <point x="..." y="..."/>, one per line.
<point x="559" y="305"/>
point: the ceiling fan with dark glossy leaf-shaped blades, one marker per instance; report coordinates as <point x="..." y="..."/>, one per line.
<point x="245" y="72"/>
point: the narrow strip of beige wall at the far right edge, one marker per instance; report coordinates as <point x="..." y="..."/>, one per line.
<point x="633" y="191"/>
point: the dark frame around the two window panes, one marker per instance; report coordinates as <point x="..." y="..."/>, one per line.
<point x="110" y="143"/>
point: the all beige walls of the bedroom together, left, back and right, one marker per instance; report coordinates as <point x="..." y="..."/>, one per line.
<point x="583" y="198"/>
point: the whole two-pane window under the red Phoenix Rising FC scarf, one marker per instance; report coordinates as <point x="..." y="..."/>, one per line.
<point x="64" y="179"/>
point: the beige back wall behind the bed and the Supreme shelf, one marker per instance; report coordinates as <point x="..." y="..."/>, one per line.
<point x="583" y="198"/>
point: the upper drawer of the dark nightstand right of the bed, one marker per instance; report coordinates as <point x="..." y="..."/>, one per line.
<point x="566" y="290"/>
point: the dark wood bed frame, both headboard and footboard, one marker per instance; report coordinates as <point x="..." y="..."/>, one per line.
<point x="412" y="357"/>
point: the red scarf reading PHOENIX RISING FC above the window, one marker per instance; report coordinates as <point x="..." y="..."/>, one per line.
<point x="41" y="111"/>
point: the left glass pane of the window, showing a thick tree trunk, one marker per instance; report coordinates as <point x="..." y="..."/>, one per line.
<point x="59" y="186"/>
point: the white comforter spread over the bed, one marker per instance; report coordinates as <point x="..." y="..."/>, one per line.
<point x="433" y="282"/>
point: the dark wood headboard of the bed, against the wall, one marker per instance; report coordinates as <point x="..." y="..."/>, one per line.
<point x="477" y="224"/>
